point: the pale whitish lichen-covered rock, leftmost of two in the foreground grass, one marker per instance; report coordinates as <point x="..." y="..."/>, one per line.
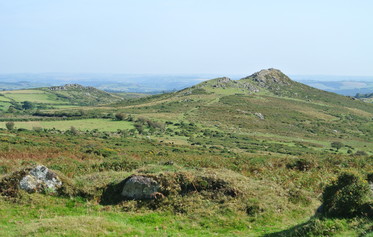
<point x="40" y="179"/>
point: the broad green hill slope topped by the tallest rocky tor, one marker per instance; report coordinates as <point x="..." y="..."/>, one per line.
<point x="267" y="104"/>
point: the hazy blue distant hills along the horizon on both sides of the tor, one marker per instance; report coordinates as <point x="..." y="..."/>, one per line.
<point x="160" y="83"/>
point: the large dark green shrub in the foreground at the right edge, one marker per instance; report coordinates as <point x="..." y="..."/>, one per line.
<point x="345" y="196"/>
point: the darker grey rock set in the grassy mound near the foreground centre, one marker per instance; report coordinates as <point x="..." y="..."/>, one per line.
<point x="139" y="188"/>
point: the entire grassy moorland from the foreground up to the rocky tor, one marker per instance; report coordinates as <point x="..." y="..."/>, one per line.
<point x="250" y="157"/>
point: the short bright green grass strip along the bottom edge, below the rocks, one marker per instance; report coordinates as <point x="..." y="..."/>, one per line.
<point x="71" y="217"/>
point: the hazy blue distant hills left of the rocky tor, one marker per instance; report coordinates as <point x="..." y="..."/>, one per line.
<point x="139" y="83"/>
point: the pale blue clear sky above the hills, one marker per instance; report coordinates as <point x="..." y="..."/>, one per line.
<point x="316" y="37"/>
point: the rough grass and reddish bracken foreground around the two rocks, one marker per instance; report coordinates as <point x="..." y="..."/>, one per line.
<point x="276" y="195"/>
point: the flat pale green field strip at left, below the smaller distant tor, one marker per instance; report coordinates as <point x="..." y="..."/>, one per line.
<point x="82" y="124"/>
